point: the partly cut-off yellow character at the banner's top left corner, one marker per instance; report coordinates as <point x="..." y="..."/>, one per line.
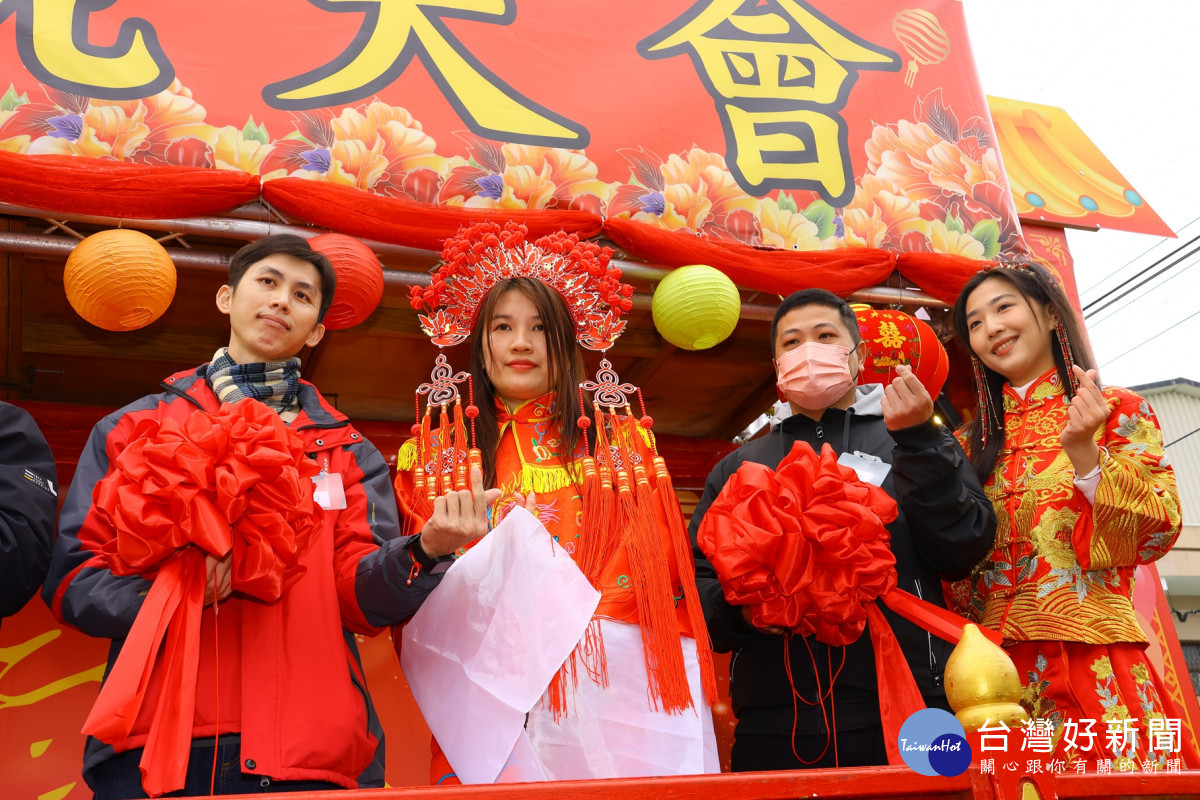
<point x="53" y="43"/>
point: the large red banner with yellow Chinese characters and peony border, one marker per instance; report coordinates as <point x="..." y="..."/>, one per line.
<point x="808" y="127"/>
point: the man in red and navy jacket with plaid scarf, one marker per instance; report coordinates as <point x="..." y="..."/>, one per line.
<point x="279" y="685"/>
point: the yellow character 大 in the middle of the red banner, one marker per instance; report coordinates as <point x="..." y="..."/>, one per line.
<point x="398" y="31"/>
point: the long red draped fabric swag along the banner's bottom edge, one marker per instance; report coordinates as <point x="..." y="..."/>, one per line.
<point x="98" y="188"/>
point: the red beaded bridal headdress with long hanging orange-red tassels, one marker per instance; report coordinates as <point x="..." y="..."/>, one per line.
<point x="621" y="507"/>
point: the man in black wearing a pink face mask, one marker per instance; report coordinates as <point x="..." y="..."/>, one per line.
<point x="945" y="527"/>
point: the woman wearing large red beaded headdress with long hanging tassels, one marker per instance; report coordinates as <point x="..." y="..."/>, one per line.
<point x="589" y="472"/>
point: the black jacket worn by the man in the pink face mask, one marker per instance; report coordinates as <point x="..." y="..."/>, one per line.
<point x="946" y="526"/>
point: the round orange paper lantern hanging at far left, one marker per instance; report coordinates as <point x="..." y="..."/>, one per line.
<point x="119" y="280"/>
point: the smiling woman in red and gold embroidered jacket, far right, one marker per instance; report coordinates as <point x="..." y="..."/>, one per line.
<point x="1084" y="494"/>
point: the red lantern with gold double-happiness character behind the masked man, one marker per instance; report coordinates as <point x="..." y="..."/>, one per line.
<point x="895" y="338"/>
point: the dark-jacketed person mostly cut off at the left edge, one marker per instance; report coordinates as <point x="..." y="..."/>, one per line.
<point x="29" y="502"/>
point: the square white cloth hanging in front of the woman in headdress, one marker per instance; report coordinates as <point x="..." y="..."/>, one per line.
<point x="485" y="645"/>
